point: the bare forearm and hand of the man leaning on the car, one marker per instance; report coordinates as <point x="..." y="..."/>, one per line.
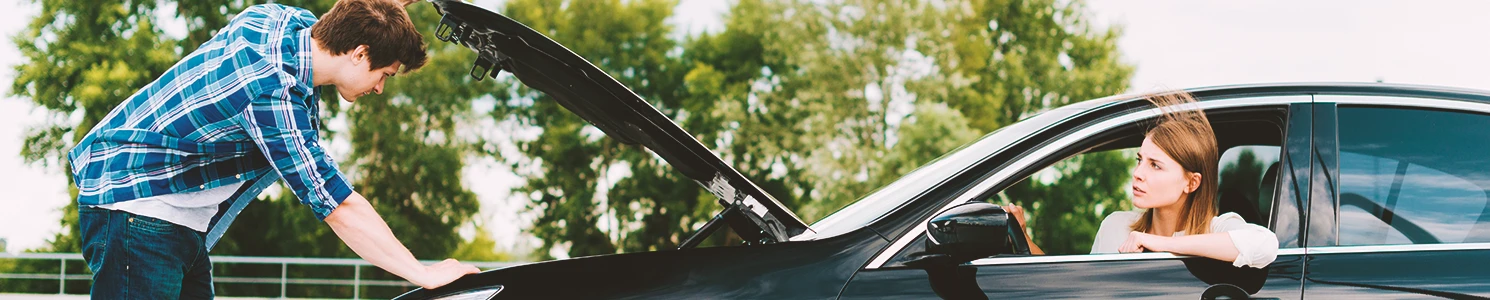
<point x="369" y="235"/>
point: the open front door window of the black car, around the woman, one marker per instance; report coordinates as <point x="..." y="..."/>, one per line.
<point x="1068" y="201"/>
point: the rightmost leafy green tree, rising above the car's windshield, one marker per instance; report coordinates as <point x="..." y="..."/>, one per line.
<point x="844" y="68"/>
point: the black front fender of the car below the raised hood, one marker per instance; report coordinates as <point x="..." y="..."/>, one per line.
<point x="817" y="269"/>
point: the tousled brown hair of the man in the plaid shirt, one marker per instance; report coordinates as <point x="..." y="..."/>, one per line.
<point x="384" y="26"/>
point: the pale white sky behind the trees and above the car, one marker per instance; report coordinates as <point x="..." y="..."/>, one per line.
<point x="1172" y="44"/>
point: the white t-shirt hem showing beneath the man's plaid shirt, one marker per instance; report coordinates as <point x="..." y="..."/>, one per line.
<point x="191" y="210"/>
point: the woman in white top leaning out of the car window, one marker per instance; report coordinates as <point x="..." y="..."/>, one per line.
<point x="1175" y="183"/>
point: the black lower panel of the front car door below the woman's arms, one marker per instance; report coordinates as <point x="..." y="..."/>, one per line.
<point x="1160" y="278"/>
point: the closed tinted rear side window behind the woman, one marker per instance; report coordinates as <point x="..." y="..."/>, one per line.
<point x="1413" y="177"/>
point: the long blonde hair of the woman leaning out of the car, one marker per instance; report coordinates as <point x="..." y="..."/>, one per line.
<point x="1185" y="135"/>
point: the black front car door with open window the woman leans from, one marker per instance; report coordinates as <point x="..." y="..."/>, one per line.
<point x="1124" y="275"/>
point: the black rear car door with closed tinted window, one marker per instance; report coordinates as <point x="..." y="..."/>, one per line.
<point x="1404" y="199"/>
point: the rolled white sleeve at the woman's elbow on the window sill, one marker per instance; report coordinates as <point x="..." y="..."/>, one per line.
<point x="1257" y="247"/>
